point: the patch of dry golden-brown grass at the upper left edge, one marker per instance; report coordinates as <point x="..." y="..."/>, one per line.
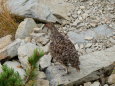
<point x="8" y="23"/>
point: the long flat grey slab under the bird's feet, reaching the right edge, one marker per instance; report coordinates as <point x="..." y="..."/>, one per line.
<point x="92" y="65"/>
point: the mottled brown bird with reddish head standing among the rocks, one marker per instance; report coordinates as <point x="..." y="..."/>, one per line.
<point x="62" y="49"/>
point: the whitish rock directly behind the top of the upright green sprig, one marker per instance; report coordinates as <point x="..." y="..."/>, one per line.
<point x="24" y="52"/>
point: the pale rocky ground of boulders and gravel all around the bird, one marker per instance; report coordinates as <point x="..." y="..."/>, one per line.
<point x="89" y="24"/>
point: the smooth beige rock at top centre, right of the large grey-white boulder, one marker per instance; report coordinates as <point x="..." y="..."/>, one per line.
<point x="59" y="8"/>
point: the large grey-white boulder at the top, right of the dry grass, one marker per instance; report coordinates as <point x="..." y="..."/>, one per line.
<point x="31" y="8"/>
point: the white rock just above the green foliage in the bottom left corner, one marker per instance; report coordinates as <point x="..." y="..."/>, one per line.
<point x="17" y="67"/>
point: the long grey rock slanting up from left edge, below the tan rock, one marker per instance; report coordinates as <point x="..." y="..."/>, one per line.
<point x="10" y="50"/>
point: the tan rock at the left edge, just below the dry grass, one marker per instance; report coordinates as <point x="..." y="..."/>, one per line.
<point x="4" y="41"/>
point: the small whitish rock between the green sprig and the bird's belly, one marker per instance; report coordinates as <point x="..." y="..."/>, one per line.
<point x="45" y="61"/>
